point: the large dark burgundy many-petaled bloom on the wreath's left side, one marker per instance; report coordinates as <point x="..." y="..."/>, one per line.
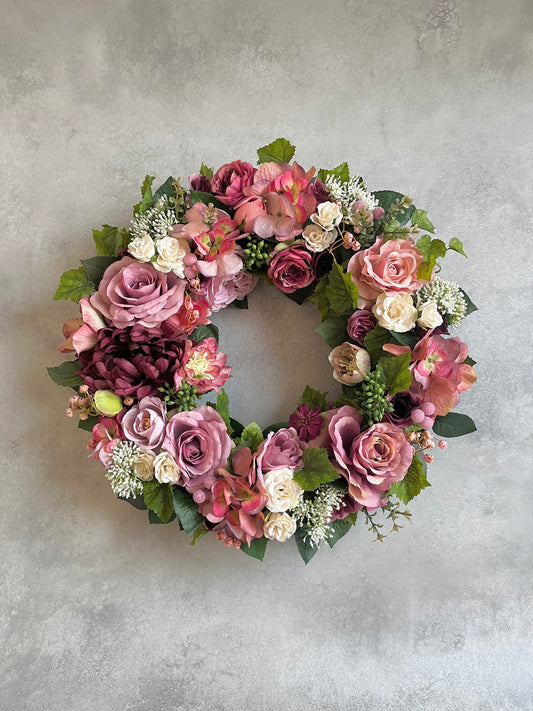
<point x="131" y="361"/>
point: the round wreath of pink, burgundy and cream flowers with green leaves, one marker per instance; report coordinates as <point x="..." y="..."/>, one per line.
<point x="147" y="353"/>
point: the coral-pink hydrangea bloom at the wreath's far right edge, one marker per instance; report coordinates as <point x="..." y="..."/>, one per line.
<point x="440" y="374"/>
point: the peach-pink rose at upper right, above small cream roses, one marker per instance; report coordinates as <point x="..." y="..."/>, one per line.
<point x="389" y="267"/>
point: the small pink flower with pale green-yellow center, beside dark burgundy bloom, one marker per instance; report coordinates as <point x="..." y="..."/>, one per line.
<point x="203" y="366"/>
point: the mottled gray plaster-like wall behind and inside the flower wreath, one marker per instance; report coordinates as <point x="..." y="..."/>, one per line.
<point x="102" y="612"/>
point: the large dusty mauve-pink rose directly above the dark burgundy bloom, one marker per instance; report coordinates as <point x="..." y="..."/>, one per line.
<point x="131" y="293"/>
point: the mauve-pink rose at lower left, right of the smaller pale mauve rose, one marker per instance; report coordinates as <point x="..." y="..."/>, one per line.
<point x="198" y="440"/>
